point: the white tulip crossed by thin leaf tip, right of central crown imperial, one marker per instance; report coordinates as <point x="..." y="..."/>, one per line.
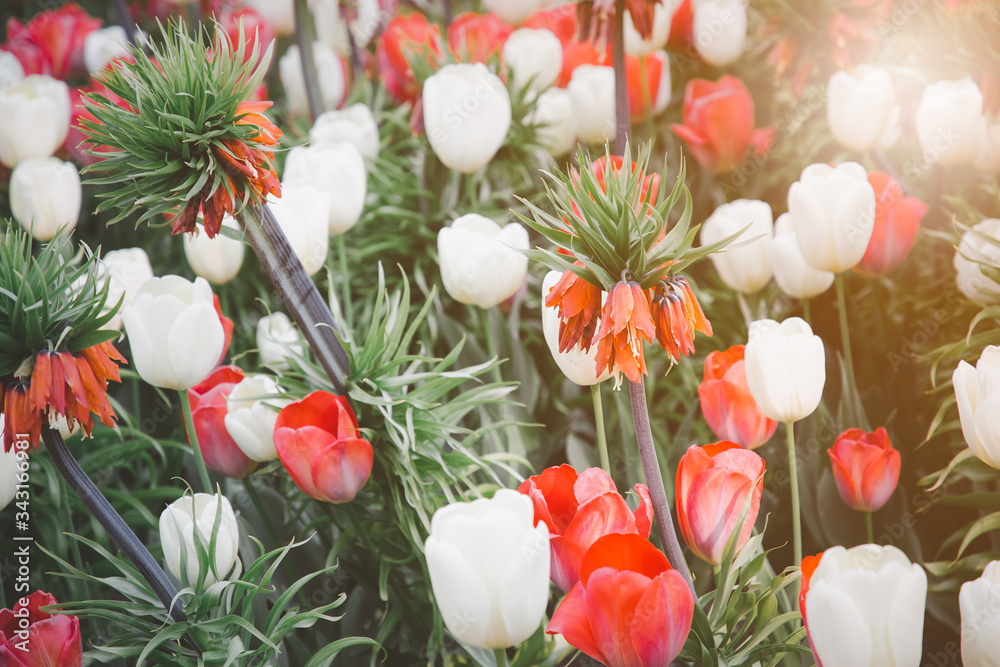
<point x="744" y="269"/>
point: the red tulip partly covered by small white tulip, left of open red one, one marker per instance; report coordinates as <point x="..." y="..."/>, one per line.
<point x="208" y="411"/>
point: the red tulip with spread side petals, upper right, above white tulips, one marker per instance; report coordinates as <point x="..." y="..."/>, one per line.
<point x="718" y="123"/>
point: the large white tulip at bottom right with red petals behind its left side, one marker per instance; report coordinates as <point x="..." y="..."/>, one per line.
<point x="865" y="608"/>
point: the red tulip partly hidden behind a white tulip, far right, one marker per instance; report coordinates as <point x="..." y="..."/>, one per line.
<point x="897" y="219"/>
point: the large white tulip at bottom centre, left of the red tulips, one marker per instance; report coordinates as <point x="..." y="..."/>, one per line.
<point x="489" y="569"/>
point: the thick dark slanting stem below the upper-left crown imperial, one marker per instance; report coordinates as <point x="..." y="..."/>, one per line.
<point x="297" y="290"/>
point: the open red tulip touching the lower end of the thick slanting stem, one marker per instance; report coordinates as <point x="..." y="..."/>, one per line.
<point x="318" y="442"/>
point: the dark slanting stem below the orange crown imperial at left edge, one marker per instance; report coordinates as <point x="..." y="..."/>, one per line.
<point x="112" y="522"/>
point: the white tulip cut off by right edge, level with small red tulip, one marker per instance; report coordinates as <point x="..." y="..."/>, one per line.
<point x="977" y="391"/>
